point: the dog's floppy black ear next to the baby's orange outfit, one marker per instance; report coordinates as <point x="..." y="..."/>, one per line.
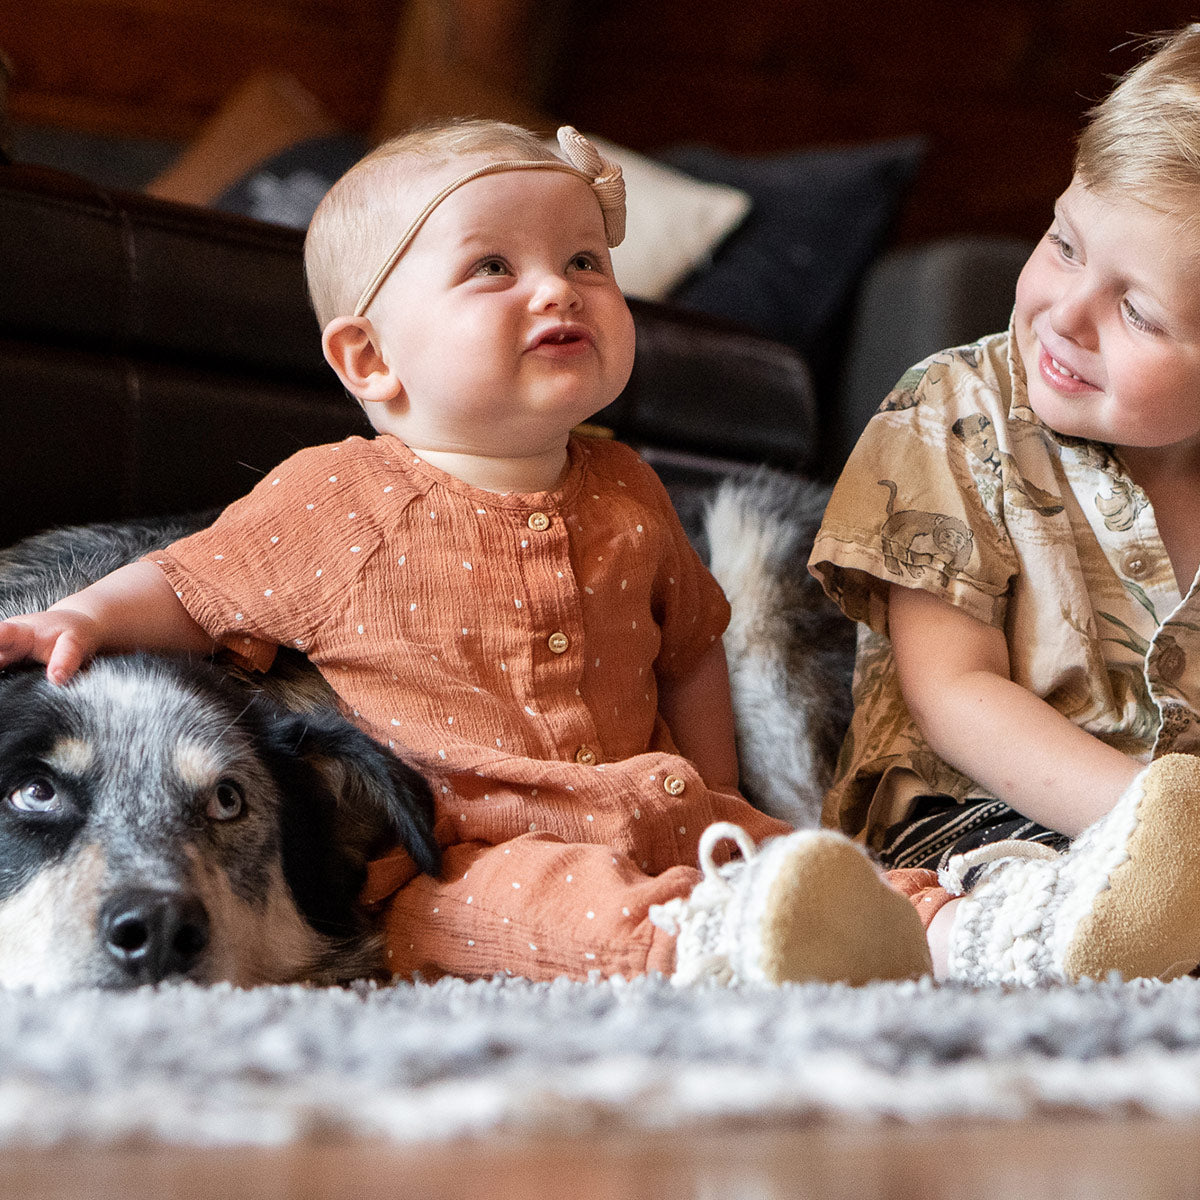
<point x="381" y="800"/>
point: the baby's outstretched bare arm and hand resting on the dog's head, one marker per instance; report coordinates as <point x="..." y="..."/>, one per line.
<point x="134" y="609"/>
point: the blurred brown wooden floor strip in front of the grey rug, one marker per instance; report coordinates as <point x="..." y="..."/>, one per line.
<point x="1132" y="1160"/>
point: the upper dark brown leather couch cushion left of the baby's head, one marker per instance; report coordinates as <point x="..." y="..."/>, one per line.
<point x="115" y="271"/>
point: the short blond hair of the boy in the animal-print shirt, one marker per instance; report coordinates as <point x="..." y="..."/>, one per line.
<point x="1144" y="140"/>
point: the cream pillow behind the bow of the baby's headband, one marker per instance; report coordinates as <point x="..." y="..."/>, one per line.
<point x="673" y="224"/>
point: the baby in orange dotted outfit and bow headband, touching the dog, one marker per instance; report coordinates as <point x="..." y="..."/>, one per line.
<point x="517" y="608"/>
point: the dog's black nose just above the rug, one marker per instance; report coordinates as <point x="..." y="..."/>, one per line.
<point x="152" y="934"/>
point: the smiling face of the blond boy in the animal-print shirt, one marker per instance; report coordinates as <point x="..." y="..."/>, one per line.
<point x="1108" y="325"/>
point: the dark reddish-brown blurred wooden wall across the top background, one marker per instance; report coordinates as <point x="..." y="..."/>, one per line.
<point x="997" y="88"/>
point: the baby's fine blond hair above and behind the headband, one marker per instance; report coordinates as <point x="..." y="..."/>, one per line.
<point x="356" y="226"/>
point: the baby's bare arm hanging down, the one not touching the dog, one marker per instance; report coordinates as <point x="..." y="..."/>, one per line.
<point x="699" y="711"/>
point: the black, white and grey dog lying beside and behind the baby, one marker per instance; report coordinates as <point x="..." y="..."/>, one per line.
<point x="164" y="818"/>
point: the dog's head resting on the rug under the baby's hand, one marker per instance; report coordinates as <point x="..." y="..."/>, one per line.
<point x="159" y="820"/>
